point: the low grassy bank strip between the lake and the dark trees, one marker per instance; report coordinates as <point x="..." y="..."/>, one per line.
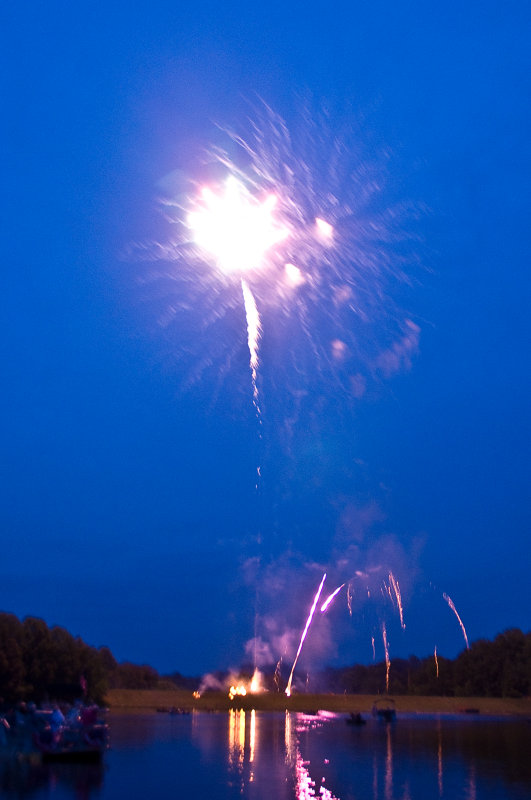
<point x="150" y="700"/>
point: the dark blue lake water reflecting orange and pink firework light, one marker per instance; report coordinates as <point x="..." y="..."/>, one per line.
<point x="271" y="756"/>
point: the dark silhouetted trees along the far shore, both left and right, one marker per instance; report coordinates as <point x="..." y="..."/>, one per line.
<point x="38" y="662"/>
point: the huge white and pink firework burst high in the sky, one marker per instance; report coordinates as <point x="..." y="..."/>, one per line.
<point x="300" y="220"/>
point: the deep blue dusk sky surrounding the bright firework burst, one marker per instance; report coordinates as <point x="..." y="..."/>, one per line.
<point x="129" y="509"/>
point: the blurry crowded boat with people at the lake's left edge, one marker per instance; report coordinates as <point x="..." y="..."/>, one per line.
<point x="48" y="735"/>
